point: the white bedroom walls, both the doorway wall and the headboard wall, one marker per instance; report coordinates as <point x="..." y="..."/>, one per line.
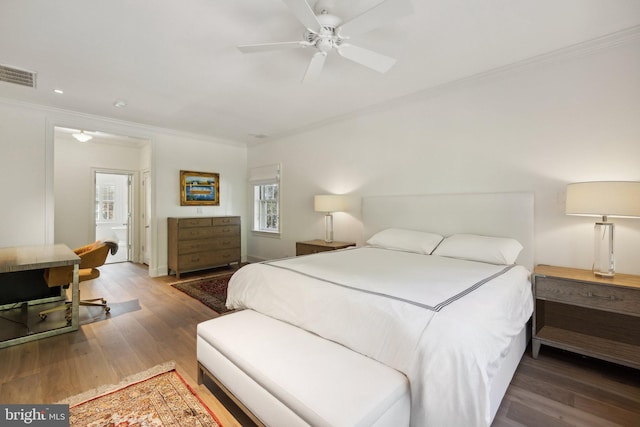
<point x="533" y="128"/>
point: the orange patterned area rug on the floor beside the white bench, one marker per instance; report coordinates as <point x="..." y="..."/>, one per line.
<point x="163" y="399"/>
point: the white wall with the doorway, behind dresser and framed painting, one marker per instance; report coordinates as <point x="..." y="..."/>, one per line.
<point x="27" y="173"/>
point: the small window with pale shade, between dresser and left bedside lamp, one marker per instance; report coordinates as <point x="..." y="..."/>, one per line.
<point x="265" y="181"/>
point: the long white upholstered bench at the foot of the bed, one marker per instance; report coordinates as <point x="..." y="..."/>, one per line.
<point x="286" y="376"/>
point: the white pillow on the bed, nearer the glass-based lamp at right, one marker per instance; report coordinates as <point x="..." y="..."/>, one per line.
<point x="493" y="250"/>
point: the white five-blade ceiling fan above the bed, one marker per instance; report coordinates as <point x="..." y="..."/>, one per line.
<point x="324" y="32"/>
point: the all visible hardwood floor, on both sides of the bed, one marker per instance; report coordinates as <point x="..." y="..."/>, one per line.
<point x="151" y="323"/>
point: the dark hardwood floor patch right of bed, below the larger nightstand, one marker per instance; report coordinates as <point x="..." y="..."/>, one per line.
<point x="564" y="389"/>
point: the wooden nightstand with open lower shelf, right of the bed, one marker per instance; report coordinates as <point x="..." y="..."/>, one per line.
<point x="593" y="316"/>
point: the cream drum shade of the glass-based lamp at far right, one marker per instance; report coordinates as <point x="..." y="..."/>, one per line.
<point x="604" y="198"/>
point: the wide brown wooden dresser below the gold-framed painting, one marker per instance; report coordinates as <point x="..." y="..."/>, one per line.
<point x="203" y="242"/>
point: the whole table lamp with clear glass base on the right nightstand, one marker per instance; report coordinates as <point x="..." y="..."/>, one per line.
<point x="604" y="199"/>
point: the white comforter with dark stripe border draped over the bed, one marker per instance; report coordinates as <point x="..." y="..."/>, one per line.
<point x="445" y="323"/>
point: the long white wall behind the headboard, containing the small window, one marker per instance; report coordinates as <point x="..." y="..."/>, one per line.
<point x="533" y="128"/>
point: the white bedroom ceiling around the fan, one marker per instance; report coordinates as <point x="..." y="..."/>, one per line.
<point x="176" y="65"/>
